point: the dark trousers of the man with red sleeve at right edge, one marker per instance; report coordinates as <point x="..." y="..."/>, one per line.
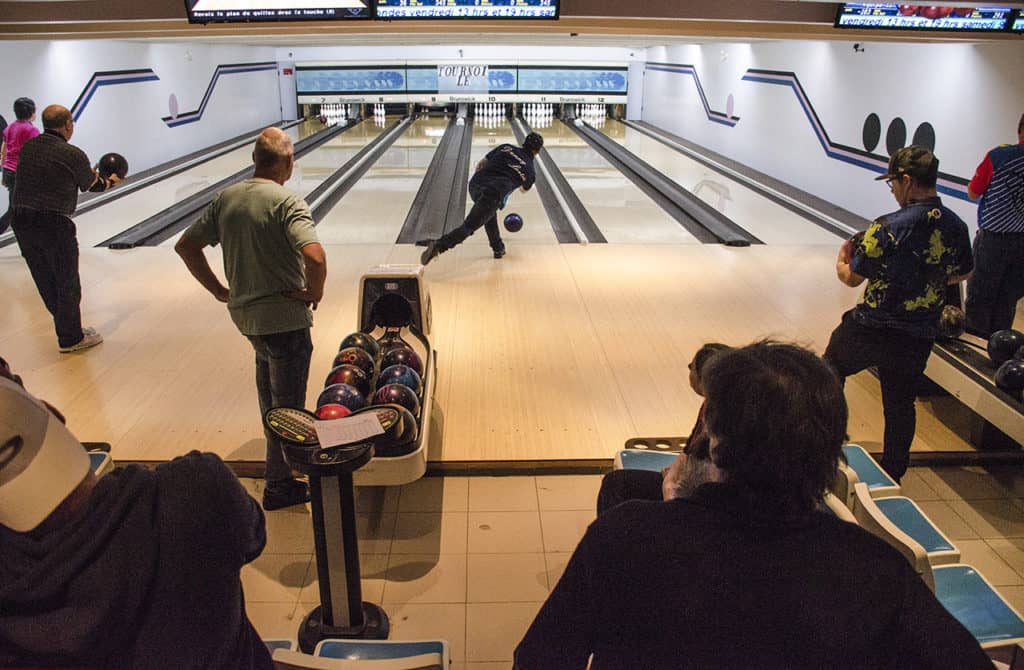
<point x="998" y="282"/>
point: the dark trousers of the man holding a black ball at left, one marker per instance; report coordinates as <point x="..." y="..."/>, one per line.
<point x="50" y="246"/>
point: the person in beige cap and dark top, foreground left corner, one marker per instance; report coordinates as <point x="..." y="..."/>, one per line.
<point x="138" y="569"/>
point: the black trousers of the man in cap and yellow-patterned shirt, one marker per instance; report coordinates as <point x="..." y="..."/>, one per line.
<point x="901" y="360"/>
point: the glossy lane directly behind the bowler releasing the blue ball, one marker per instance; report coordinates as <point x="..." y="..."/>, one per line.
<point x="490" y="133"/>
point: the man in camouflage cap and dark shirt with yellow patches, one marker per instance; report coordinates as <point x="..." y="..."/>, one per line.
<point x="909" y="258"/>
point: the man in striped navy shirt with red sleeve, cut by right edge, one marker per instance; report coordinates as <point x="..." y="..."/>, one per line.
<point x="999" y="281"/>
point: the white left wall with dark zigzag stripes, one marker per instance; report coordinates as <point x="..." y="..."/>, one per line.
<point x="126" y="118"/>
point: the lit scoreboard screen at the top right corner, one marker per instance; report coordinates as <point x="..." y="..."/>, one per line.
<point x="928" y="18"/>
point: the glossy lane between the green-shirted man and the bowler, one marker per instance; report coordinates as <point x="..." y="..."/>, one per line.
<point x="375" y="208"/>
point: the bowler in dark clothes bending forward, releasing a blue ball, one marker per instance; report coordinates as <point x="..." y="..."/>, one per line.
<point x="498" y="175"/>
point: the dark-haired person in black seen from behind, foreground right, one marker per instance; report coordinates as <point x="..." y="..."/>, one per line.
<point x="745" y="572"/>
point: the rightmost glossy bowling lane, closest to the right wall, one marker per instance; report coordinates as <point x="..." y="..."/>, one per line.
<point x="765" y="220"/>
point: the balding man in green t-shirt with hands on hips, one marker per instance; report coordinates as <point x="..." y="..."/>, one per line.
<point x="276" y="270"/>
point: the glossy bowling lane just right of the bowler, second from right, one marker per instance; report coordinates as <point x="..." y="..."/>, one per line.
<point x="621" y="211"/>
